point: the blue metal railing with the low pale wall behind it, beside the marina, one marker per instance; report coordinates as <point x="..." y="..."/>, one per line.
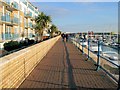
<point x="101" y="62"/>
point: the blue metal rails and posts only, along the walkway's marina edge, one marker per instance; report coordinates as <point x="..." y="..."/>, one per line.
<point x="98" y="61"/>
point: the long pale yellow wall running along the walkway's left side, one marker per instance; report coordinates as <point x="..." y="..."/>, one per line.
<point x="15" y="67"/>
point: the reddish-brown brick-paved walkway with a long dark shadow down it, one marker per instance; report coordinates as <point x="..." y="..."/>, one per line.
<point x="65" y="67"/>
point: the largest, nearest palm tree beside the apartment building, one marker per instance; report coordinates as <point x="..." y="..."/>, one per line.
<point x="41" y="23"/>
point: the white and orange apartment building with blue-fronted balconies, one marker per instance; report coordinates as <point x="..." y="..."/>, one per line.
<point x="17" y="19"/>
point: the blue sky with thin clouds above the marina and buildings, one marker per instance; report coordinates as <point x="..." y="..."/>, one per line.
<point x="82" y="16"/>
